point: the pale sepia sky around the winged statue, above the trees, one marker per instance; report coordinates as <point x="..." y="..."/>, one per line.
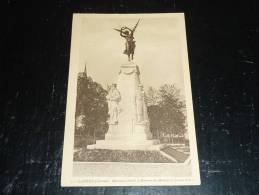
<point x="157" y="53"/>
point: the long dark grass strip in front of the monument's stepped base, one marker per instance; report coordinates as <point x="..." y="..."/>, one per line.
<point x="136" y="156"/>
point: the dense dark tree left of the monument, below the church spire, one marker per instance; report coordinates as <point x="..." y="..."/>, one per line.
<point x="91" y="108"/>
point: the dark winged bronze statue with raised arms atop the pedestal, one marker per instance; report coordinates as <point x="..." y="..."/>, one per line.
<point x="130" y="44"/>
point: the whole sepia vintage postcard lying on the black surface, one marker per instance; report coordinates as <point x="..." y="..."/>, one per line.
<point x="129" y="116"/>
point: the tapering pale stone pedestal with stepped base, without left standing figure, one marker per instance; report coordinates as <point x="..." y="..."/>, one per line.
<point x="132" y="130"/>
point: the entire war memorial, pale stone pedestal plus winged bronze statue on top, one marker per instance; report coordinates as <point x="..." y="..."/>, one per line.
<point x="128" y="118"/>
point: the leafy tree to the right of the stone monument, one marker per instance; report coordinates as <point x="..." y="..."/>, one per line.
<point x="166" y="111"/>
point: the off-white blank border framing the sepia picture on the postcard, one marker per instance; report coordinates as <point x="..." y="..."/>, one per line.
<point x="67" y="178"/>
